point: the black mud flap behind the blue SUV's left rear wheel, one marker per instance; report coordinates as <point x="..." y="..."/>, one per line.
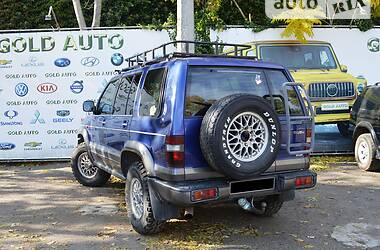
<point x="162" y="210"/>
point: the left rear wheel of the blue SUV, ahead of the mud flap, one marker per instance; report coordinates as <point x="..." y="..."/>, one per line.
<point x="138" y="201"/>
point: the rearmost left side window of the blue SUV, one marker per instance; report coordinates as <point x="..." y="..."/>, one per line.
<point x="151" y="92"/>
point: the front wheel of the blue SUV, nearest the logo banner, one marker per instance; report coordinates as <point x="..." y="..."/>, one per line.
<point x="85" y="172"/>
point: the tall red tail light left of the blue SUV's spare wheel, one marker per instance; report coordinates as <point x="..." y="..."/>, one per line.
<point x="175" y="151"/>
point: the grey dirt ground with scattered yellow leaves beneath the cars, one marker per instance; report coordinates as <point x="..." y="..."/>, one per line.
<point x="43" y="207"/>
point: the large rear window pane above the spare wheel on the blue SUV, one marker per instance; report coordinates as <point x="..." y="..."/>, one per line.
<point x="205" y="85"/>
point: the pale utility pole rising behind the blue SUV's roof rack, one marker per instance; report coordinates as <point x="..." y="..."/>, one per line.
<point x="185" y="23"/>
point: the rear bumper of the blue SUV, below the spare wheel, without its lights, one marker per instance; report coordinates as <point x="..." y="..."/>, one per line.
<point x="180" y="193"/>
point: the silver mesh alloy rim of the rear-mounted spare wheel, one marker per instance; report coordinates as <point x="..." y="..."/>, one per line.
<point x="247" y="136"/>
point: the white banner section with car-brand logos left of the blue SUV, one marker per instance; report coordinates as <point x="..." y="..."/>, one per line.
<point x="46" y="76"/>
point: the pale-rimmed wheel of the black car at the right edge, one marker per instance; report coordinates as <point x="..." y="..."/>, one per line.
<point x="365" y="151"/>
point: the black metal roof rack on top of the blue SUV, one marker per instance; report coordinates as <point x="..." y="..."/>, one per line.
<point x="192" y="49"/>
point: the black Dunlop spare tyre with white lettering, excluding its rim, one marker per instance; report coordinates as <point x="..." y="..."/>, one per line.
<point x="263" y="162"/>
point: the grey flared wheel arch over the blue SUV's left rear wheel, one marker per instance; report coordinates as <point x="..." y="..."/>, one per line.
<point x="136" y="151"/>
